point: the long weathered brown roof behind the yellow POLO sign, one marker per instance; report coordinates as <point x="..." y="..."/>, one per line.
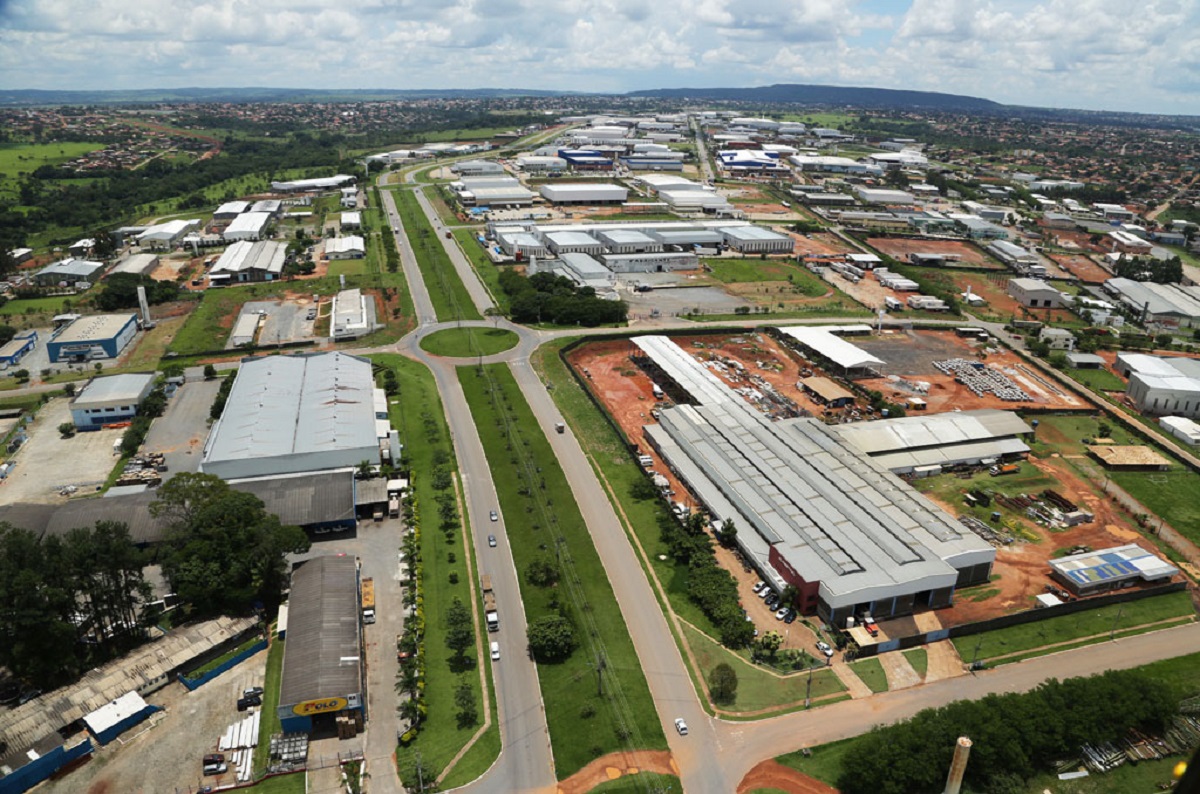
<point x="322" y="657"/>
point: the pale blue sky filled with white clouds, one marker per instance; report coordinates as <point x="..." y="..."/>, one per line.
<point x="1093" y="55"/>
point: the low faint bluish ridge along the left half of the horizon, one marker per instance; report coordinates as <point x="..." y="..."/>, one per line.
<point x="245" y="95"/>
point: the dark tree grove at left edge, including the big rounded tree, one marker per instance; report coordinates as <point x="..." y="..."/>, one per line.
<point x="70" y="603"/>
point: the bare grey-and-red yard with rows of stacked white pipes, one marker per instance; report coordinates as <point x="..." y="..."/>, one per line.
<point x="911" y="356"/>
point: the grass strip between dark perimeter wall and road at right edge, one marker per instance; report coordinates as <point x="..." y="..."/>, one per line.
<point x="1075" y="627"/>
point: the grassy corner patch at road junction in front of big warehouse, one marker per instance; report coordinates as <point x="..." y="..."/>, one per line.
<point x="758" y="689"/>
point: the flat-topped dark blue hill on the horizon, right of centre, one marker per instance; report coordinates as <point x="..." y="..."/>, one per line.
<point x="859" y="98"/>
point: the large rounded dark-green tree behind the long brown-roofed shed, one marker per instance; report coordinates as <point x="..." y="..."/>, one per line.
<point x="224" y="554"/>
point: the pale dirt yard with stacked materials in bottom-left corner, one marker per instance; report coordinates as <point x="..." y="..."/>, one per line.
<point x="167" y="757"/>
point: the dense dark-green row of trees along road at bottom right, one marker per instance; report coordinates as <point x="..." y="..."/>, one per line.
<point x="1015" y="737"/>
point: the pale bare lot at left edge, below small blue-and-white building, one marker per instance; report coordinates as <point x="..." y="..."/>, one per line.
<point x="49" y="462"/>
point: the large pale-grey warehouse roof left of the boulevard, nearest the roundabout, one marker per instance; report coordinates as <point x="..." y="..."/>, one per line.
<point x="289" y="414"/>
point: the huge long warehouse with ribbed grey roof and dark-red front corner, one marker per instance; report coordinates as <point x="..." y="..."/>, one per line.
<point x="827" y="519"/>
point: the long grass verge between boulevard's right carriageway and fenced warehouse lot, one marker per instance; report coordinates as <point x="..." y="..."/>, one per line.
<point x="610" y="455"/>
